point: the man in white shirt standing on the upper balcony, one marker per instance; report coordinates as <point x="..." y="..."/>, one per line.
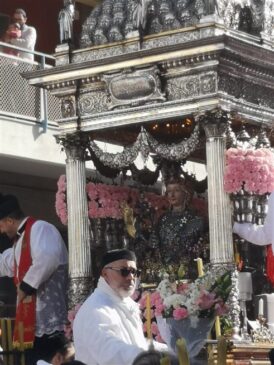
<point x="28" y="35"/>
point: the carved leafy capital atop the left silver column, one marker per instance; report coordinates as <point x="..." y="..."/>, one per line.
<point x="74" y="145"/>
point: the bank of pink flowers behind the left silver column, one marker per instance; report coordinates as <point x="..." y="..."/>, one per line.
<point x="105" y="201"/>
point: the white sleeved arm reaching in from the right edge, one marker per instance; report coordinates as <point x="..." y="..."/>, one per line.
<point x="259" y="235"/>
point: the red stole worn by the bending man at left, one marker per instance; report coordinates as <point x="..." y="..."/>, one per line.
<point x="24" y="330"/>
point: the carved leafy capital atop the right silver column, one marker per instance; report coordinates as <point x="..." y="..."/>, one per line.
<point x="214" y="122"/>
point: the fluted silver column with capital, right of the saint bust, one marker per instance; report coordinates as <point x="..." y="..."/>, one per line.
<point x="220" y="222"/>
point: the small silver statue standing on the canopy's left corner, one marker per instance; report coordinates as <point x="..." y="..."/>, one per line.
<point x="65" y="19"/>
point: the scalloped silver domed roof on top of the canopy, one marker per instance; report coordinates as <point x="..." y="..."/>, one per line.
<point x="116" y="20"/>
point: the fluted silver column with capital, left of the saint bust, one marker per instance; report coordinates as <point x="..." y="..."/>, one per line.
<point x="80" y="270"/>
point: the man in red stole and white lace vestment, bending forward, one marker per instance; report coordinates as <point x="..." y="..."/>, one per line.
<point x="38" y="263"/>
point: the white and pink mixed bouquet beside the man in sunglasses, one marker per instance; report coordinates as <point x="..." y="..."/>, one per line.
<point x="204" y="298"/>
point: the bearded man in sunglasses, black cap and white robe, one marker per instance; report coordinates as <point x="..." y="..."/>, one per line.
<point x="108" y="329"/>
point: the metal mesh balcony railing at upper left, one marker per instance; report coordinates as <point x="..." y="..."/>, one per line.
<point x="17" y="98"/>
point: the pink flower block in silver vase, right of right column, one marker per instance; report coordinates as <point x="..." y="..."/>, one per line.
<point x="249" y="169"/>
